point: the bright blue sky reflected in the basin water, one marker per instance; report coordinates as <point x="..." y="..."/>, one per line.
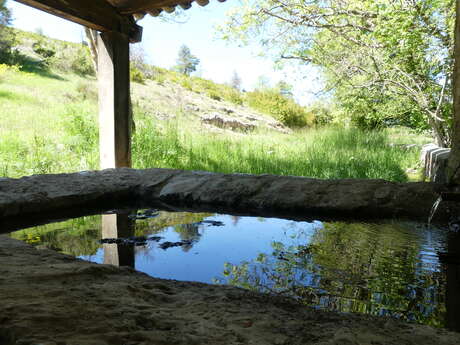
<point x="233" y="242"/>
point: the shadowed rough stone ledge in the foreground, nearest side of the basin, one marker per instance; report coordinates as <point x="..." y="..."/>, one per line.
<point x="49" y="298"/>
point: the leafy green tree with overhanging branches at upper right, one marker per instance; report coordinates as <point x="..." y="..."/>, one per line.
<point x="383" y="60"/>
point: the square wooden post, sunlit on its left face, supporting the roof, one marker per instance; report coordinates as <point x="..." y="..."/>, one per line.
<point x="114" y="100"/>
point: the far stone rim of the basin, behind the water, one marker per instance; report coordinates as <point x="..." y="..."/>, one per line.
<point x="42" y="196"/>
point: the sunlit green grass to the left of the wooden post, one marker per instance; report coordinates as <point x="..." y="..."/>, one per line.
<point x="37" y="127"/>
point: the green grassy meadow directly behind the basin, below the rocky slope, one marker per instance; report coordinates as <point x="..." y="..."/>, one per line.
<point x="49" y="125"/>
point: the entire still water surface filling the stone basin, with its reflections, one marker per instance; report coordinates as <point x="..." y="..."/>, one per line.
<point x="391" y="268"/>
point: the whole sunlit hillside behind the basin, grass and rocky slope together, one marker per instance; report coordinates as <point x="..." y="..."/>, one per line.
<point x="49" y="124"/>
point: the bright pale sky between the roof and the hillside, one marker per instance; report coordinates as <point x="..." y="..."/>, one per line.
<point x="161" y="42"/>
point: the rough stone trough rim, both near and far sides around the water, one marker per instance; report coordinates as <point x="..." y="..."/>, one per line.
<point x="50" y="298"/>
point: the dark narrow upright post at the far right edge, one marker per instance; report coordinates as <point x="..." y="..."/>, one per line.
<point x="454" y="158"/>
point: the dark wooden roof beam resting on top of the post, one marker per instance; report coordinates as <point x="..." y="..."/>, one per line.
<point x="95" y="14"/>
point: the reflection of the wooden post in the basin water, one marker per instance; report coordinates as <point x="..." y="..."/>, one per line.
<point x="118" y="225"/>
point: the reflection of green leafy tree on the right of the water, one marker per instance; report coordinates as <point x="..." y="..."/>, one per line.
<point x="350" y="268"/>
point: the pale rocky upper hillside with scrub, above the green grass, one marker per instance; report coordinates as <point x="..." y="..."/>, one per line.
<point x="163" y="98"/>
